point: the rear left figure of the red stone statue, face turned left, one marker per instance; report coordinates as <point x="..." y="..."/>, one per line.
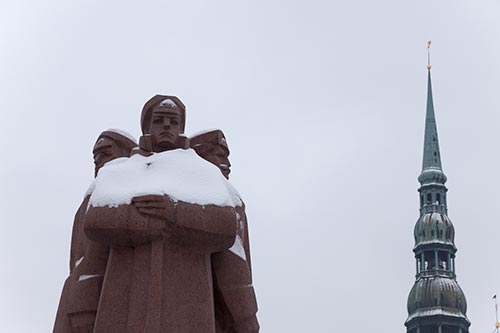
<point x="80" y="296"/>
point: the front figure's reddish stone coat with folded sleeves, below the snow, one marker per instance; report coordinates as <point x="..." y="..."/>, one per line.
<point x="158" y="277"/>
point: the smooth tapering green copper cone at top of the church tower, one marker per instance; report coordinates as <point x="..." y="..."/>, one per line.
<point x="432" y="155"/>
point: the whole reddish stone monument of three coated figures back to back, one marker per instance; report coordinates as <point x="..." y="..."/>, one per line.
<point x="157" y="263"/>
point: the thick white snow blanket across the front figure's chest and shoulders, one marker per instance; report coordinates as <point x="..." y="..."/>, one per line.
<point x="180" y="174"/>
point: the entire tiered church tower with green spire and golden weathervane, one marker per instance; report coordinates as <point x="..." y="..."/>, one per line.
<point x="436" y="303"/>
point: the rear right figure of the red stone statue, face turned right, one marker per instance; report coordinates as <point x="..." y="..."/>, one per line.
<point x="234" y="296"/>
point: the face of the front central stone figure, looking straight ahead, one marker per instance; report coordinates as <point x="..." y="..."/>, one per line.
<point x="165" y="128"/>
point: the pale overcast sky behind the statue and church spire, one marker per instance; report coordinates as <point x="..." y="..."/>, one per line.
<point x="323" y="106"/>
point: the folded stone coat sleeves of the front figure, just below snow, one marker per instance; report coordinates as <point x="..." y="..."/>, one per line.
<point x="210" y="227"/>
